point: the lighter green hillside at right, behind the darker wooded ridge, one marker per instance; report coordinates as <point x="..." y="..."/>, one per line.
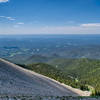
<point x="86" y="71"/>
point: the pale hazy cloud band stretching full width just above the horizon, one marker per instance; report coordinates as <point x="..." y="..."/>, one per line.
<point x="90" y="28"/>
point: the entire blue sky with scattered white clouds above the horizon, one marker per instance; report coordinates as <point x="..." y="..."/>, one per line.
<point x="49" y="16"/>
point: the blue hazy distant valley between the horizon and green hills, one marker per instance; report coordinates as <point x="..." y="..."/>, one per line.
<point x="42" y="48"/>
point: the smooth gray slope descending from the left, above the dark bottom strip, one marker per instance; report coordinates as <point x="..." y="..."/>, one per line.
<point x="15" y="80"/>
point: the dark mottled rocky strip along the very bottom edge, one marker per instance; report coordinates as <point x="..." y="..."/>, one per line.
<point x="46" y="98"/>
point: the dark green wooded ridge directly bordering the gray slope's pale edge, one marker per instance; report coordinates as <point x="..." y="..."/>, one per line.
<point x="56" y="74"/>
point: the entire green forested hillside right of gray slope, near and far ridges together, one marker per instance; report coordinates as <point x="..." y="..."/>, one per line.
<point x="79" y="73"/>
